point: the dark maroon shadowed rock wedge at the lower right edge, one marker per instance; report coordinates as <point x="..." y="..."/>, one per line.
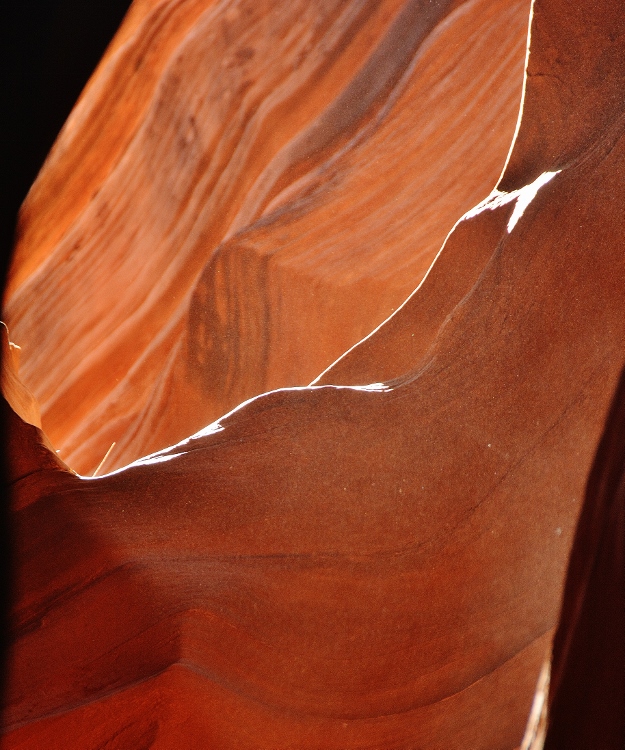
<point x="586" y="705"/>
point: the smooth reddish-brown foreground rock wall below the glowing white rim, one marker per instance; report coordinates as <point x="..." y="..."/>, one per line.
<point x="374" y="567"/>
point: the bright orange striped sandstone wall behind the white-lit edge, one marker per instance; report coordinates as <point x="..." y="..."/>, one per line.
<point x="242" y="193"/>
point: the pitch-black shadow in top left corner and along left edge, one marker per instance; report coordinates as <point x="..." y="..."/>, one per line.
<point x="48" y="50"/>
